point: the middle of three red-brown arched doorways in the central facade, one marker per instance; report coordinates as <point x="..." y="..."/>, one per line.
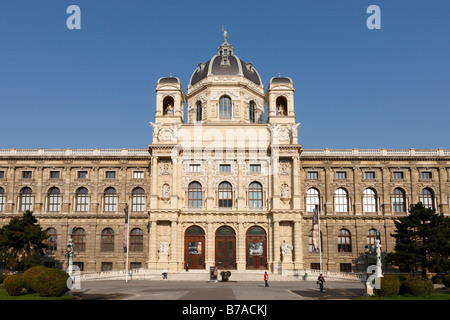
<point x="226" y="248"/>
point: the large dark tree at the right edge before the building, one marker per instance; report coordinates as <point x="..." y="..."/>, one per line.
<point x="422" y="241"/>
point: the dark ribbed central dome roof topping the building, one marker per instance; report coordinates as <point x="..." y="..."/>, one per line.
<point x="225" y="63"/>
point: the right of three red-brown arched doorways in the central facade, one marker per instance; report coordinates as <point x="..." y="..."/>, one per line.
<point x="256" y="242"/>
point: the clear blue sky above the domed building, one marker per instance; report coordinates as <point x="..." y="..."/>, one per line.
<point x="95" y="87"/>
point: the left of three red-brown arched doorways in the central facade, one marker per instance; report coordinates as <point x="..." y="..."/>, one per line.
<point x="194" y="248"/>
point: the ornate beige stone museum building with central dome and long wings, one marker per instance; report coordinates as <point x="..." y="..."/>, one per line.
<point x="223" y="183"/>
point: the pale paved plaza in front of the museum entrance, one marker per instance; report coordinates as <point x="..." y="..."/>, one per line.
<point x="206" y="290"/>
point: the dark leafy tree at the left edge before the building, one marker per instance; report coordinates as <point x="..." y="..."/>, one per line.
<point x="21" y="242"/>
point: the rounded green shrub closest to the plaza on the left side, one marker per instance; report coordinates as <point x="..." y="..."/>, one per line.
<point x="51" y="283"/>
